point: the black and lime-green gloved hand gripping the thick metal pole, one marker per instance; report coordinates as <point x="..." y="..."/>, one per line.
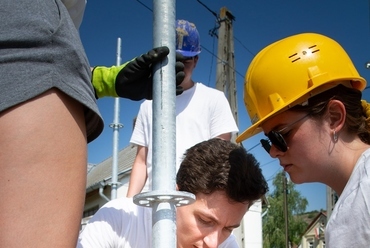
<point x="133" y="80"/>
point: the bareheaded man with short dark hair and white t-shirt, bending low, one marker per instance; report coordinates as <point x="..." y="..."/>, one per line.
<point x="226" y="181"/>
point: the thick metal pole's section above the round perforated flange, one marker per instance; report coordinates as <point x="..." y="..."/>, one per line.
<point x="164" y="98"/>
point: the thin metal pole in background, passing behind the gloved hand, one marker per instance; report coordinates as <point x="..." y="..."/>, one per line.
<point x="116" y="126"/>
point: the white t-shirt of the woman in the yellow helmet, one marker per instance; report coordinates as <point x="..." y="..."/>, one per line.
<point x="349" y="224"/>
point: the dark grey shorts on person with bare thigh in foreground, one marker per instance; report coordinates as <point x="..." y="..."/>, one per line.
<point x="40" y="49"/>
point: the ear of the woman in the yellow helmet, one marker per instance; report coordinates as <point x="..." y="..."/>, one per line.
<point x="337" y="115"/>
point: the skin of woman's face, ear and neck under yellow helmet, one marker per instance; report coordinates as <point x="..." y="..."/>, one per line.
<point x="312" y="155"/>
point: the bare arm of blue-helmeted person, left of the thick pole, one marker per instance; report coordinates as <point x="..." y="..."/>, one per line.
<point x="139" y="173"/>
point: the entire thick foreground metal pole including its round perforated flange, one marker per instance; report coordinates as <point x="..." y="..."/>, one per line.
<point x="164" y="198"/>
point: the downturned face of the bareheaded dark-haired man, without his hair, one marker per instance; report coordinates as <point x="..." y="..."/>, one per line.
<point x="208" y="221"/>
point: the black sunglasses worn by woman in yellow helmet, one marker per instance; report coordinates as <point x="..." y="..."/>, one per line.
<point x="276" y="138"/>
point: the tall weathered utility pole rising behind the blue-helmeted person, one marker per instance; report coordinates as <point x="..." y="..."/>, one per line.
<point x="225" y="74"/>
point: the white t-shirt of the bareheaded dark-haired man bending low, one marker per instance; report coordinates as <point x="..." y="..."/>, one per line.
<point x="122" y="224"/>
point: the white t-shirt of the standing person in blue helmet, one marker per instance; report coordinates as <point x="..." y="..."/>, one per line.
<point x="202" y="113"/>
